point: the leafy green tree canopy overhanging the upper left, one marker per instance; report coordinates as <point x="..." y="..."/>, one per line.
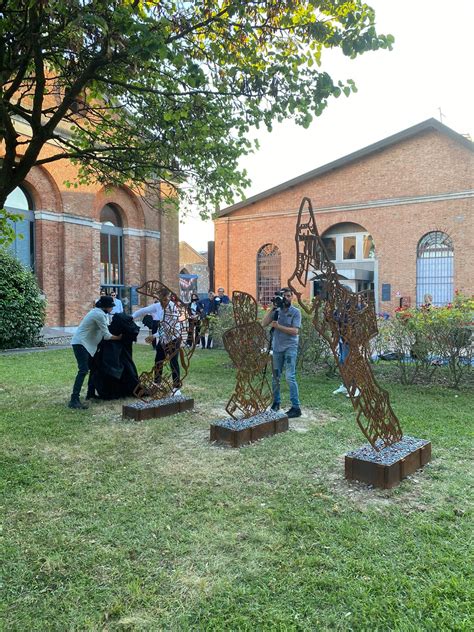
<point x="139" y="92"/>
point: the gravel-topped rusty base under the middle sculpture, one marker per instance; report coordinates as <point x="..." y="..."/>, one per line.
<point x="235" y="433"/>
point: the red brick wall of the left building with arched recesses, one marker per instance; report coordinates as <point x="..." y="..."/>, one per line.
<point x="68" y="254"/>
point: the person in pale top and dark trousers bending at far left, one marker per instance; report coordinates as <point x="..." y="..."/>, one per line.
<point x="92" y="329"/>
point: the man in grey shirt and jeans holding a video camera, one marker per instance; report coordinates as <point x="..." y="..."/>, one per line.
<point x="285" y="321"/>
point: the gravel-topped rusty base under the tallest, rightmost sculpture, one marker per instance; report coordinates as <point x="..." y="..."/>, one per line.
<point x="387" y="467"/>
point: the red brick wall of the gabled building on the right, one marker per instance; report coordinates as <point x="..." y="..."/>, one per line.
<point x="429" y="164"/>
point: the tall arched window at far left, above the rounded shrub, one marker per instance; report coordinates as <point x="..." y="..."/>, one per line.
<point x="20" y="203"/>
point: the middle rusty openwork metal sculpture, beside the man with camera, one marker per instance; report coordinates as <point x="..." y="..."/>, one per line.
<point x="247" y="346"/>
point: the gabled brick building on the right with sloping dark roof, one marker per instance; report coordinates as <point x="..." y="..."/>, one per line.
<point x="397" y="216"/>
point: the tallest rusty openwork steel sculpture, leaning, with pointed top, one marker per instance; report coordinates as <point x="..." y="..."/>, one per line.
<point x="342" y="314"/>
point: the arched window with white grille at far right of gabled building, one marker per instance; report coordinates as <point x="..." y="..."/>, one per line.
<point x="435" y="268"/>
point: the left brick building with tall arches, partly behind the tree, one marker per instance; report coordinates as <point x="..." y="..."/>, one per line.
<point x="79" y="239"/>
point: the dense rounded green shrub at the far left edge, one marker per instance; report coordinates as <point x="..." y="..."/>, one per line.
<point x="22" y="308"/>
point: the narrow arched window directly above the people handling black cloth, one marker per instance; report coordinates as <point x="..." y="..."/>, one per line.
<point x="111" y="247"/>
